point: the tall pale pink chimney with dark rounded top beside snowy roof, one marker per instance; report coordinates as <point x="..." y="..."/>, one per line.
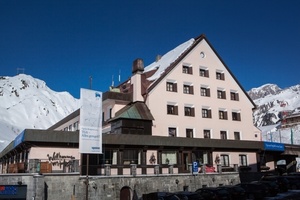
<point x="137" y="70"/>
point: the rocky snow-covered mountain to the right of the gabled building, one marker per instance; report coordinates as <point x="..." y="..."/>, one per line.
<point x="271" y="101"/>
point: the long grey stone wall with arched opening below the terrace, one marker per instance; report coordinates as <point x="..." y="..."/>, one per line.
<point x="73" y="186"/>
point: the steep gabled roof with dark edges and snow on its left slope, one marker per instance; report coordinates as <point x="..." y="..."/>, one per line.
<point x="187" y="47"/>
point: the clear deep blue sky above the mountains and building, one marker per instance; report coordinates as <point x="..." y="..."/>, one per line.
<point x="65" y="42"/>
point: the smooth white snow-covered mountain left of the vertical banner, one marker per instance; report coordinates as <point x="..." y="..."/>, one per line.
<point x="27" y="102"/>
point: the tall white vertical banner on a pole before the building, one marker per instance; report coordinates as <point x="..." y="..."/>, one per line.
<point x="90" y="131"/>
